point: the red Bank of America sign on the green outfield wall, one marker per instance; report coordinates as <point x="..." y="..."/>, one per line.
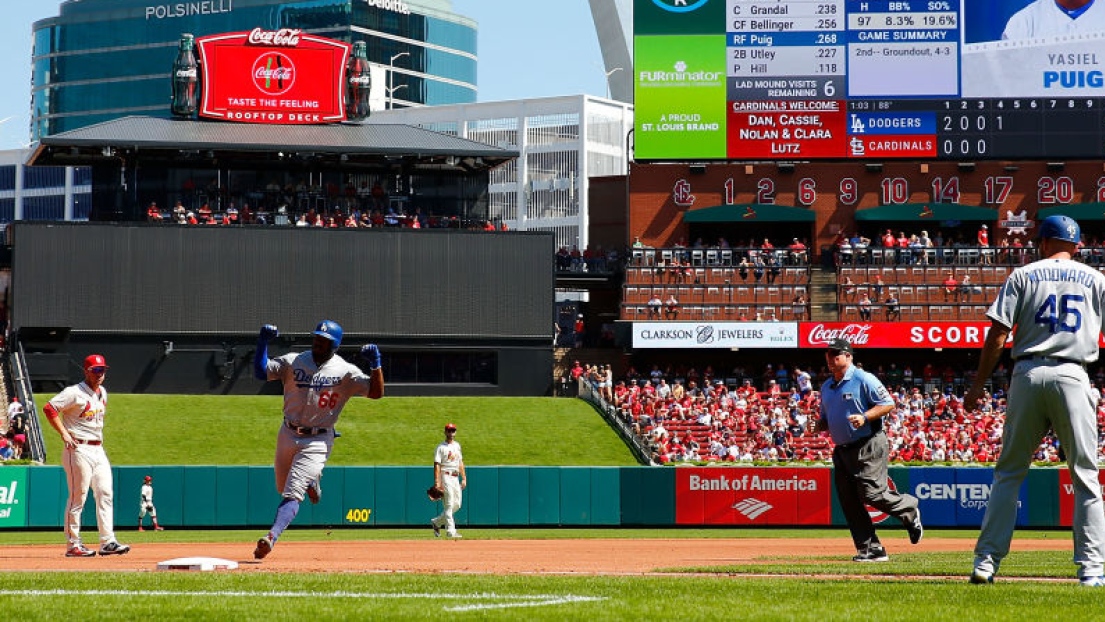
<point x="753" y="497"/>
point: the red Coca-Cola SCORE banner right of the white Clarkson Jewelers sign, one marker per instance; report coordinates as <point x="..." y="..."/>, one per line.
<point x="896" y="334"/>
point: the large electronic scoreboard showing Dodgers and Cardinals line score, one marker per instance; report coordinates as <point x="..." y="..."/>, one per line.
<point x="868" y="79"/>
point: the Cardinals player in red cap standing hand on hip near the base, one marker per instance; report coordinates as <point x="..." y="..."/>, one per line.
<point x="78" y="415"/>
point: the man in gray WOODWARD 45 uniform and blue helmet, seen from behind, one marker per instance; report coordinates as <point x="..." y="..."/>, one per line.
<point x="1056" y="304"/>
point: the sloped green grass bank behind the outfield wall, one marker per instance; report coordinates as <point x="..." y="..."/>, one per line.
<point x="241" y="430"/>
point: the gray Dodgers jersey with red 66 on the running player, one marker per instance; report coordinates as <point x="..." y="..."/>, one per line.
<point x="315" y="396"/>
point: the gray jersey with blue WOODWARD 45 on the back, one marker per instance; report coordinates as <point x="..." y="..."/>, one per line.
<point x="1056" y="307"/>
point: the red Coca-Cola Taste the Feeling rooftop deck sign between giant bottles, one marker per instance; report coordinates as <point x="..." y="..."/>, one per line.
<point x="279" y="77"/>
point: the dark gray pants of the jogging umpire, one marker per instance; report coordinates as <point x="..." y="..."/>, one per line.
<point x="860" y="477"/>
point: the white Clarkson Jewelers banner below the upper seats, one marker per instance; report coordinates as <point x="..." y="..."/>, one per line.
<point x="715" y="335"/>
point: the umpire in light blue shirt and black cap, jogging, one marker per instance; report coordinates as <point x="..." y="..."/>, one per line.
<point x="854" y="404"/>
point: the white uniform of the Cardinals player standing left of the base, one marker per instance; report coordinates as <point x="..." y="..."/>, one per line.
<point x="82" y="414"/>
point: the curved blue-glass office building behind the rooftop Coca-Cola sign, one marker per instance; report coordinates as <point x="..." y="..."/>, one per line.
<point x="102" y="60"/>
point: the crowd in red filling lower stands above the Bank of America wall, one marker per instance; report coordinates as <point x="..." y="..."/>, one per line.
<point x="685" y="416"/>
